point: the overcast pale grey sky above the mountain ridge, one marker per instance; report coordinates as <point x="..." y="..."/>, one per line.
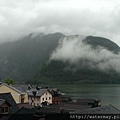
<point x="84" y="17"/>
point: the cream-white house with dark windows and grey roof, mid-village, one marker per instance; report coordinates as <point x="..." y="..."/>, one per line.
<point x="39" y="97"/>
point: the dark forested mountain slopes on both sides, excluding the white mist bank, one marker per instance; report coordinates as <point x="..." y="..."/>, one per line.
<point x="28" y="59"/>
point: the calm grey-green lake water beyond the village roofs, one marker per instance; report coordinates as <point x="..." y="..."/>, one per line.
<point x="108" y="93"/>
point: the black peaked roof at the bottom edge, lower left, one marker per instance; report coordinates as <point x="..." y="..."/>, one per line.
<point x="23" y="114"/>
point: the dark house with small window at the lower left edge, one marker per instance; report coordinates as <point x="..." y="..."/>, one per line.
<point x="4" y="107"/>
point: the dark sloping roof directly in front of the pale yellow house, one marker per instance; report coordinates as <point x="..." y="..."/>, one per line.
<point x="8" y="97"/>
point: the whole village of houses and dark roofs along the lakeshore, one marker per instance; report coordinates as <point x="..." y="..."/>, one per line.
<point x="22" y="102"/>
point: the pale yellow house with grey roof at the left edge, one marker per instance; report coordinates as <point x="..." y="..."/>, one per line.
<point x="19" y="95"/>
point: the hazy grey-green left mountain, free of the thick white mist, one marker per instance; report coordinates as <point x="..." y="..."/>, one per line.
<point x="21" y="59"/>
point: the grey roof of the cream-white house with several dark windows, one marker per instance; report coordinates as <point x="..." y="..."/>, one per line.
<point x="38" y="92"/>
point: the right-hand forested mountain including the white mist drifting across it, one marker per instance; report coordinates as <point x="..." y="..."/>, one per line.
<point x="84" y="59"/>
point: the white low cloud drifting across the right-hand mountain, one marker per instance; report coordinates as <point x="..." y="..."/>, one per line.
<point x="71" y="49"/>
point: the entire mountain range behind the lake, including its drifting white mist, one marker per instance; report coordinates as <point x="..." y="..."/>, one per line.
<point x="61" y="58"/>
